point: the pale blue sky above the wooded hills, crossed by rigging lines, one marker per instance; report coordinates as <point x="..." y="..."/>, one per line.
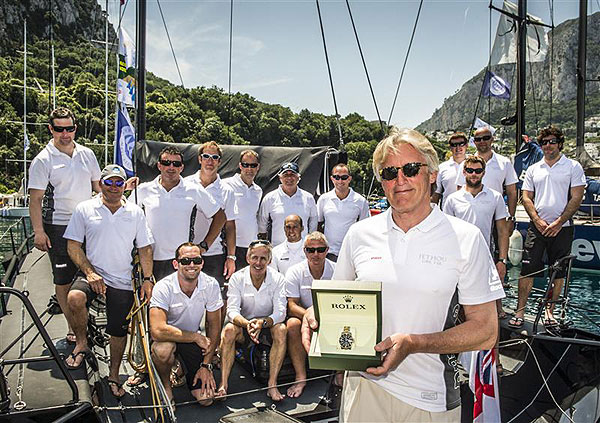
<point x="278" y="57"/>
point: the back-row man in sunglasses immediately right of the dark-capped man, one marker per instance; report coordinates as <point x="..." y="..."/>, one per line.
<point x="340" y="208"/>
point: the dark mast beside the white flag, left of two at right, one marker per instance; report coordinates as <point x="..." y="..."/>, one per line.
<point x="521" y="72"/>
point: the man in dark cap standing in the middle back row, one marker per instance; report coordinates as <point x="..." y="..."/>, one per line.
<point x="287" y="199"/>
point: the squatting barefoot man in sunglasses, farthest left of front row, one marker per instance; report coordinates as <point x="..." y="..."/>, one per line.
<point x="178" y="305"/>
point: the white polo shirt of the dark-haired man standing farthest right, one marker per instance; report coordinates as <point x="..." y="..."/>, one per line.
<point x="551" y="186"/>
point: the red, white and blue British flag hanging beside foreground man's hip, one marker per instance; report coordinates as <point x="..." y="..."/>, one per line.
<point x="483" y="381"/>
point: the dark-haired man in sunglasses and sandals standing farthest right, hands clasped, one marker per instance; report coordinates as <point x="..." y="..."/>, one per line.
<point x="552" y="192"/>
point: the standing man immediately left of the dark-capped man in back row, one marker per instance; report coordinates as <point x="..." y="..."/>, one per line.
<point x="246" y="199"/>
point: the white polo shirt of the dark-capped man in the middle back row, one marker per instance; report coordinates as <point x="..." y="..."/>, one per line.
<point x="277" y="205"/>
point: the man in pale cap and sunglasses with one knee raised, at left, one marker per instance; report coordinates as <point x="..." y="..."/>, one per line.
<point x="111" y="227"/>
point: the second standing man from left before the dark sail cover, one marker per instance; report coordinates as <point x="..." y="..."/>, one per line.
<point x="219" y="256"/>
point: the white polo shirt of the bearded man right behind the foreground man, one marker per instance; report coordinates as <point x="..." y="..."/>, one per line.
<point x="483" y="209"/>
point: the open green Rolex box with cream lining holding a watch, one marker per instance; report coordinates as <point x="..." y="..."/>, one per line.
<point x="349" y="316"/>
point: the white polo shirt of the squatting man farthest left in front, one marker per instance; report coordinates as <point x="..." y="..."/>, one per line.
<point x="185" y="312"/>
